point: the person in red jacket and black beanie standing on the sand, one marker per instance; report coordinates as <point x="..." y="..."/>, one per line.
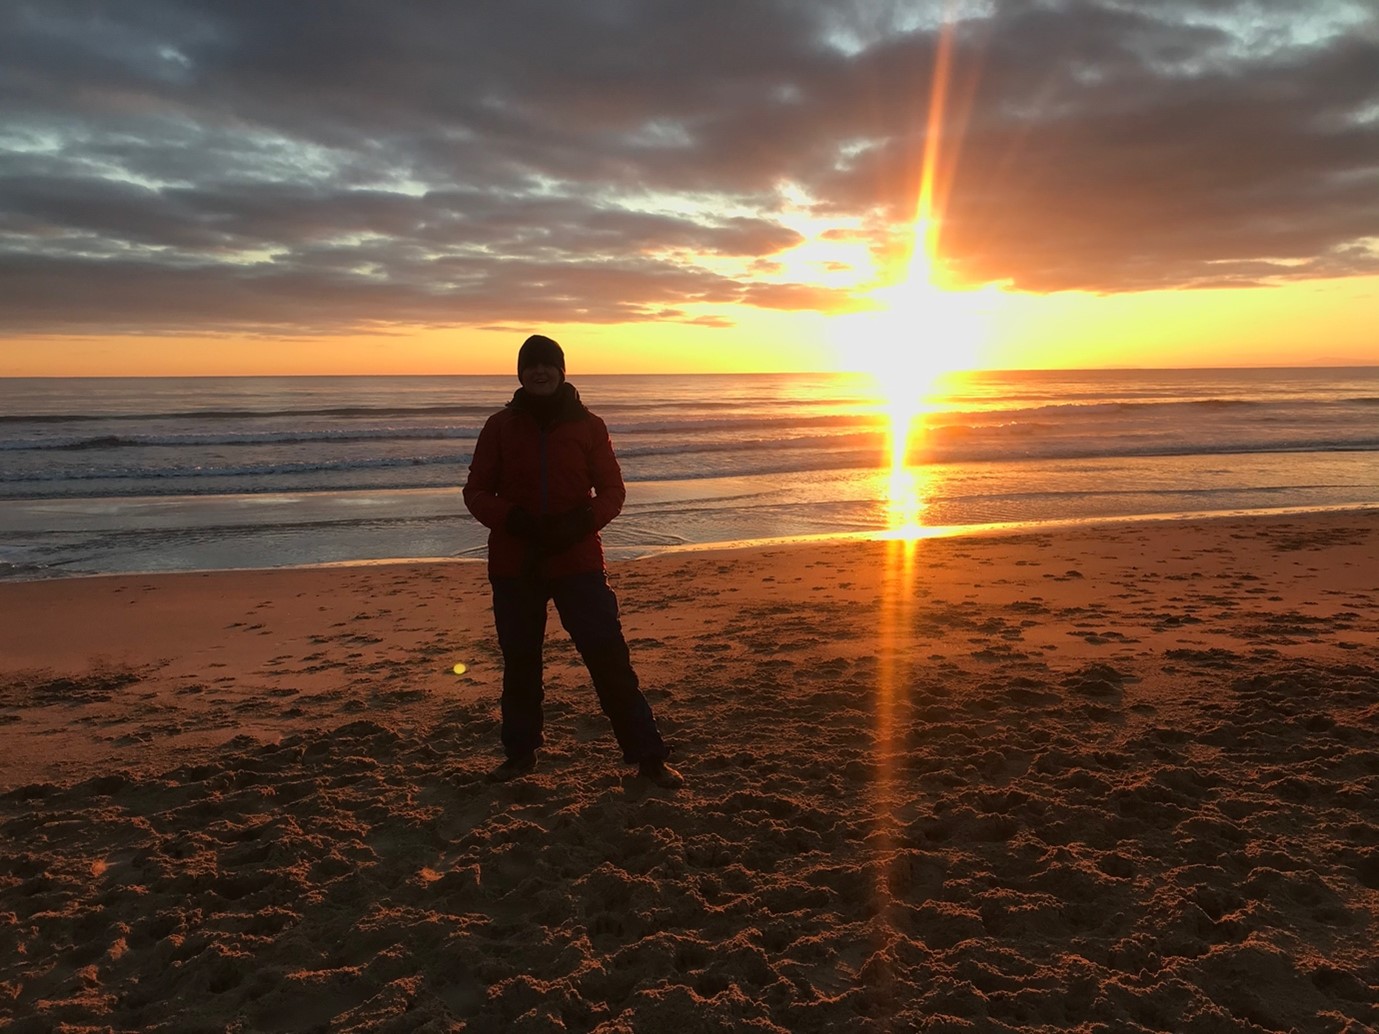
<point x="544" y="480"/>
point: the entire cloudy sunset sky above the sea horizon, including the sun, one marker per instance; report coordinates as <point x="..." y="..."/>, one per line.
<point x="354" y="187"/>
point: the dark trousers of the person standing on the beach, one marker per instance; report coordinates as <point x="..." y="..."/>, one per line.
<point x="590" y="611"/>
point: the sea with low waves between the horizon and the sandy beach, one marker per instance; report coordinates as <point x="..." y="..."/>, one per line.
<point x="173" y="475"/>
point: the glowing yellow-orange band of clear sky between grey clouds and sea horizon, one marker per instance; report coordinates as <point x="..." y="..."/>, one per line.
<point x="1312" y="323"/>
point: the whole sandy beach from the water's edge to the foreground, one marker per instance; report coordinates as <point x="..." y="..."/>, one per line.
<point x="1103" y="780"/>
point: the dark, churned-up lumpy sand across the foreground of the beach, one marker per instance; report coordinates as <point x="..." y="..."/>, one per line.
<point x="1017" y="864"/>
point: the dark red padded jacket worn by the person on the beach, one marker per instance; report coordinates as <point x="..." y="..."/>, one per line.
<point x="547" y="468"/>
